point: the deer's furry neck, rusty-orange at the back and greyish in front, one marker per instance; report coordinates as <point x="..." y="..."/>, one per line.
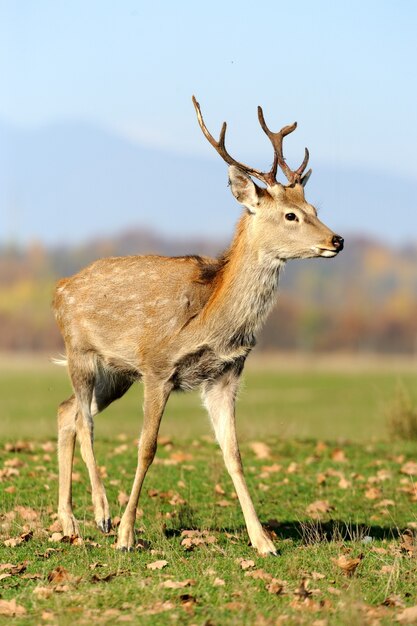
<point x="245" y="289"/>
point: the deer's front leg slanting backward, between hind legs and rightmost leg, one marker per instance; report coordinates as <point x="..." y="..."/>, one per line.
<point x="155" y="399"/>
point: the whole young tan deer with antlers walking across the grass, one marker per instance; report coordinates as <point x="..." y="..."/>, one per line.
<point x="181" y="323"/>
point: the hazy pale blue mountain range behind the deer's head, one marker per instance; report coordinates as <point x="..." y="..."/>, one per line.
<point x="71" y="181"/>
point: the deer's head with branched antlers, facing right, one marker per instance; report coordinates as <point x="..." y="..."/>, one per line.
<point x="283" y="223"/>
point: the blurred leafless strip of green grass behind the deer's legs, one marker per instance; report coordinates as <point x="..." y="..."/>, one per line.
<point x="274" y="400"/>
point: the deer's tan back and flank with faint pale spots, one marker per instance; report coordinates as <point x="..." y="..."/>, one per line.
<point x="130" y="303"/>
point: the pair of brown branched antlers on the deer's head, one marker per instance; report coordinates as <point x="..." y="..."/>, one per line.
<point x="269" y="178"/>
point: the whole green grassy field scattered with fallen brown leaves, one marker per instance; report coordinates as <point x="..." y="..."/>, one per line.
<point x="339" y="498"/>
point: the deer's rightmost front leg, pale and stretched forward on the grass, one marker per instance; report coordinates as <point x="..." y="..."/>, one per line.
<point x="219" y="399"/>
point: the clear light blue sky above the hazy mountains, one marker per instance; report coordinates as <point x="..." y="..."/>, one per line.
<point x="344" y="70"/>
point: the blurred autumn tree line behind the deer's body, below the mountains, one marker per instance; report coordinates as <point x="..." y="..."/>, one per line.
<point x="365" y="300"/>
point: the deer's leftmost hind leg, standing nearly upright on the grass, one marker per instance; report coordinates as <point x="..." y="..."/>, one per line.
<point x="66" y="442"/>
